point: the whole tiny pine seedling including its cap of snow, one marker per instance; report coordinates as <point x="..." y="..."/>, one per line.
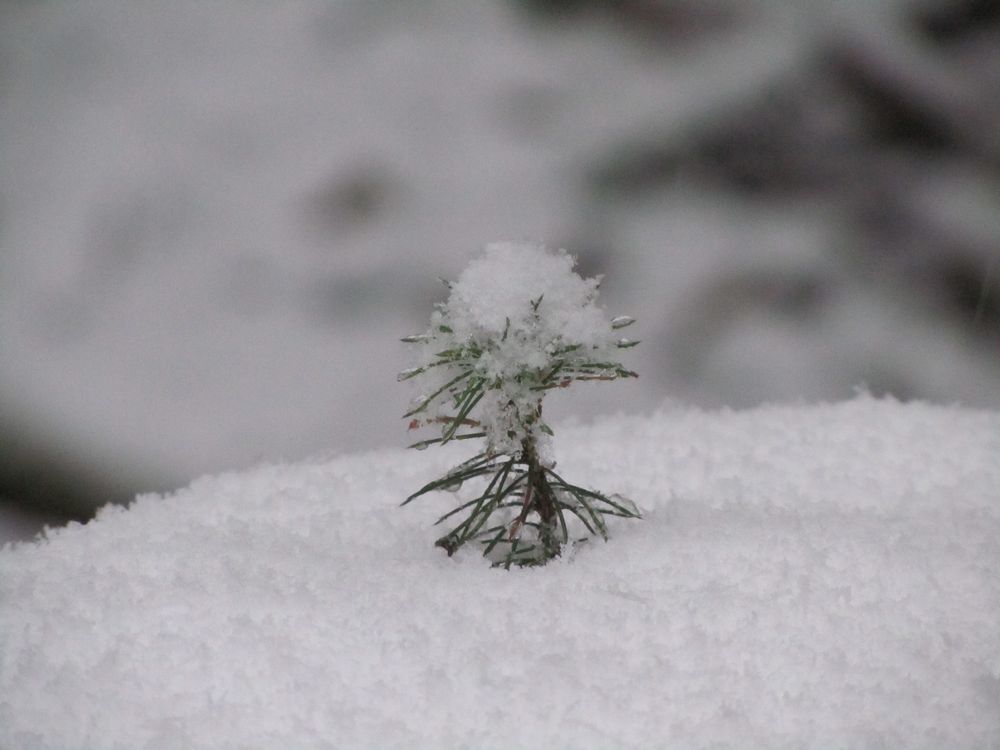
<point x="518" y="322"/>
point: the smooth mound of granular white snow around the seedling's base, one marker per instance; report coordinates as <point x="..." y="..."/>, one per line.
<point x="818" y="577"/>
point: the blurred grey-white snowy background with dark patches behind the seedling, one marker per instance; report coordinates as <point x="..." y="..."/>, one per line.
<point x="217" y="218"/>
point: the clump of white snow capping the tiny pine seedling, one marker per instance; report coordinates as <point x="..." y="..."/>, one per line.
<point x="523" y="313"/>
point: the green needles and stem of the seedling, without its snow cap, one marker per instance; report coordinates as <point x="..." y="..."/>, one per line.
<point x="522" y="511"/>
